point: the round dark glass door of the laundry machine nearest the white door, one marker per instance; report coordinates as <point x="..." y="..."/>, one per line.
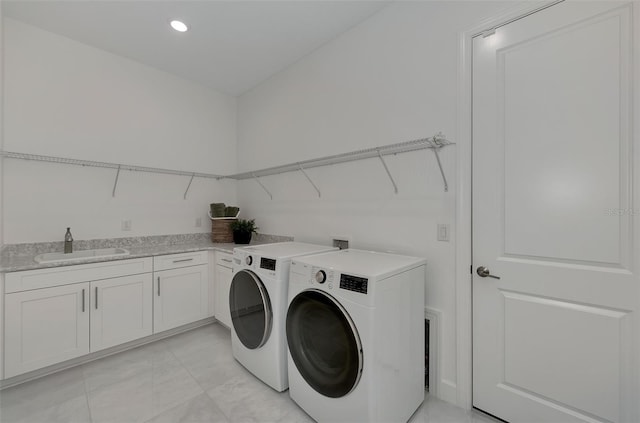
<point x="324" y="343"/>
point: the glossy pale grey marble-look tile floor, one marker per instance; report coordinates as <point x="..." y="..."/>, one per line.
<point x="191" y="377"/>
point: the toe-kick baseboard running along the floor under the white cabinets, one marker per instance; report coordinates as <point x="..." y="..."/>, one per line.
<point x="16" y="380"/>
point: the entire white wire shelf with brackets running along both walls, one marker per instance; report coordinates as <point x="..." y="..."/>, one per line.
<point x="434" y="143"/>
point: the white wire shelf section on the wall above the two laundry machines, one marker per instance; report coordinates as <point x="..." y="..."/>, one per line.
<point x="434" y="143"/>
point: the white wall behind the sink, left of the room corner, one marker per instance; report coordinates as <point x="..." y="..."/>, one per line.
<point x="67" y="99"/>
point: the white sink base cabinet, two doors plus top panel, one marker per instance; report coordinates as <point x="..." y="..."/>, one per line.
<point x="52" y="315"/>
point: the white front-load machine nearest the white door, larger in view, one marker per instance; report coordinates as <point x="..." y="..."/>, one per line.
<point x="355" y="332"/>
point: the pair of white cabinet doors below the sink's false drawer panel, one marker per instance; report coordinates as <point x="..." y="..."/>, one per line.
<point x="50" y="325"/>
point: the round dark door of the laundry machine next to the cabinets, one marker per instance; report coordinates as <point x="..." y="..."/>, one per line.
<point x="250" y="307"/>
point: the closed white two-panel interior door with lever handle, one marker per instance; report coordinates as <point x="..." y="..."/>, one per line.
<point x="555" y="339"/>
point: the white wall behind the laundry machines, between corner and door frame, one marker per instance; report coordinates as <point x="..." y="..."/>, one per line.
<point x="391" y="79"/>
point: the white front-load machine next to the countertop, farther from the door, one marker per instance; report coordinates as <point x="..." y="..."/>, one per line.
<point x="258" y="305"/>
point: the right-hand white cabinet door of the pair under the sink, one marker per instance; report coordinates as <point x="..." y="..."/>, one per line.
<point x="121" y="310"/>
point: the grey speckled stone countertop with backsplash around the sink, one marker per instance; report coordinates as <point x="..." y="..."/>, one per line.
<point x="18" y="257"/>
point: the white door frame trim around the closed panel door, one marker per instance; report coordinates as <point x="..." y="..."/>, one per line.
<point x="464" y="188"/>
